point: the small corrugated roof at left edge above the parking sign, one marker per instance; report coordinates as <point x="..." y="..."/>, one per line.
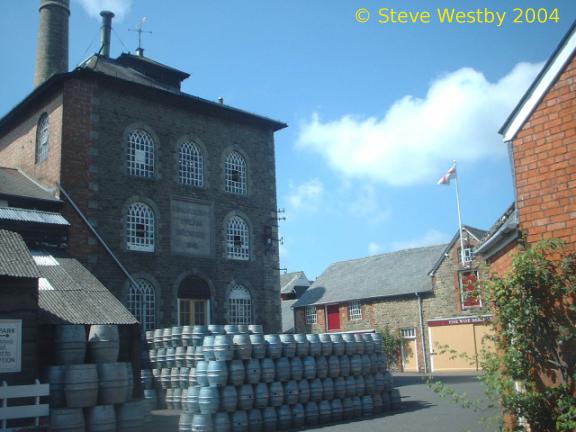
<point x="15" y="258"/>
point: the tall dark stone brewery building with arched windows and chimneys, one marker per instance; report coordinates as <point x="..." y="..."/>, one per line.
<point x="171" y="198"/>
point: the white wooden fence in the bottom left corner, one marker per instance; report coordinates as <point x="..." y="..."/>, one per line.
<point x="25" y="411"/>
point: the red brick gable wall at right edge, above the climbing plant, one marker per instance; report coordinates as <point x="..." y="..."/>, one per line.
<point x="544" y="152"/>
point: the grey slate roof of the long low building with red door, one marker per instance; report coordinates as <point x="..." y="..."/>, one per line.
<point x="391" y="274"/>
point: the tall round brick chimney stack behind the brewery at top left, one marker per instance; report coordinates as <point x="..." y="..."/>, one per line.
<point x="52" y="48"/>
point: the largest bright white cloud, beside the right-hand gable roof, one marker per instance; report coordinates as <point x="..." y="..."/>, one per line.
<point x="417" y="138"/>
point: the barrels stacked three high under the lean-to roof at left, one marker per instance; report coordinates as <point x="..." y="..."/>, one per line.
<point x="89" y="388"/>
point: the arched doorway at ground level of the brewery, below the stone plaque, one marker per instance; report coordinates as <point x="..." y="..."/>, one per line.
<point x="193" y="301"/>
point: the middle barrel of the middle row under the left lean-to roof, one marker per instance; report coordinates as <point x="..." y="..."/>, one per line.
<point x="81" y="385"/>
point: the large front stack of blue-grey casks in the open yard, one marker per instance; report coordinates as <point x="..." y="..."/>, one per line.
<point x="251" y="382"/>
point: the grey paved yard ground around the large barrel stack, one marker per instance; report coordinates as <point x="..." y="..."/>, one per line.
<point x="423" y="410"/>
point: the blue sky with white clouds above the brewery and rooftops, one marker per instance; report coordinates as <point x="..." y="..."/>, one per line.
<point x="376" y="112"/>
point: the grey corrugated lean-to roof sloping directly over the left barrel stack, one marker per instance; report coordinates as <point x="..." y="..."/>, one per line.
<point x="73" y="295"/>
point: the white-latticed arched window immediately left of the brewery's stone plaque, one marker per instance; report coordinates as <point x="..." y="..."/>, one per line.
<point x="140" y="228"/>
